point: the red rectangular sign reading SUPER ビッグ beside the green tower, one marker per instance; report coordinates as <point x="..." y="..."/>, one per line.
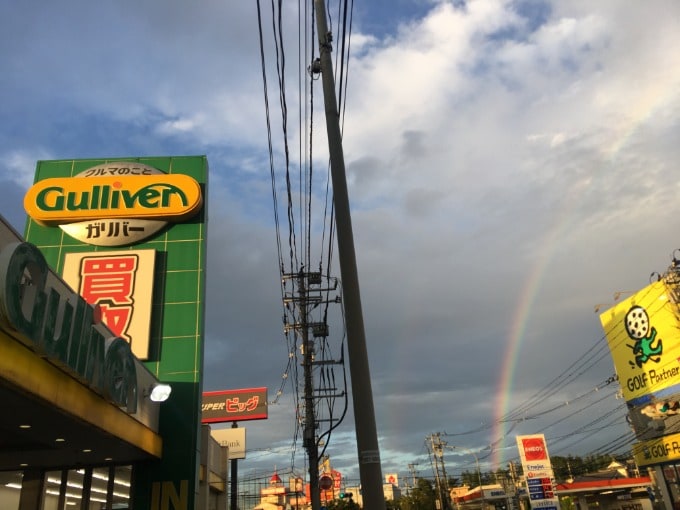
<point x="234" y="405"/>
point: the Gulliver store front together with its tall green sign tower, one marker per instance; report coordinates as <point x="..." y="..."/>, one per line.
<point x="101" y="303"/>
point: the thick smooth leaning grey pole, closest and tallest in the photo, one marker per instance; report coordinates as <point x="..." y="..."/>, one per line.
<point x="368" y="451"/>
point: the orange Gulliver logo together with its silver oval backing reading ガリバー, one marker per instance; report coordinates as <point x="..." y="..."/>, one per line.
<point x="114" y="204"/>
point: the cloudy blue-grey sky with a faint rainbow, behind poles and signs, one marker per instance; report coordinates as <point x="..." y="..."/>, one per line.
<point x="512" y="165"/>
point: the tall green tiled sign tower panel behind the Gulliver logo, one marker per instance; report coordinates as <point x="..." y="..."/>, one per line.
<point x="177" y="319"/>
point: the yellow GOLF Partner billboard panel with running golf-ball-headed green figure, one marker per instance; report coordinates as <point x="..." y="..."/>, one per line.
<point x="643" y="333"/>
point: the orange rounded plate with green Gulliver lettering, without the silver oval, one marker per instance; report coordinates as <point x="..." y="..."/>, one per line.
<point x="172" y="197"/>
